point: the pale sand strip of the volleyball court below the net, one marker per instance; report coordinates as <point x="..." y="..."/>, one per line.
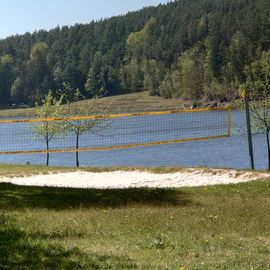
<point x="135" y="179"/>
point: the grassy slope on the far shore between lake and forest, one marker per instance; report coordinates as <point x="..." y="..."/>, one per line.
<point x="135" y="102"/>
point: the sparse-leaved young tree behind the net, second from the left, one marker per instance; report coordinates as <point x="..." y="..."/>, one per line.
<point x="83" y="126"/>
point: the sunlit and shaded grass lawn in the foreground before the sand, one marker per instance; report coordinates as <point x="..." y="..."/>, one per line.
<point x="217" y="227"/>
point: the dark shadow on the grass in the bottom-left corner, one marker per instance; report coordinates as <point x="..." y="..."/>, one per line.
<point x="21" y="251"/>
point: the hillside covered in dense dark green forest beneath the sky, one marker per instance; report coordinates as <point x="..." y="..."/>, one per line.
<point x="187" y="48"/>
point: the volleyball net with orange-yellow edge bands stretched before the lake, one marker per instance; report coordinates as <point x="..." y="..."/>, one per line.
<point x="114" y="131"/>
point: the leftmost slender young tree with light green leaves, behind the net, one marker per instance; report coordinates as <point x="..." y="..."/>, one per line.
<point x="47" y="130"/>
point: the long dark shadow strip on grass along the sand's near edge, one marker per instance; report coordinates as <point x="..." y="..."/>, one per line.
<point x="13" y="197"/>
